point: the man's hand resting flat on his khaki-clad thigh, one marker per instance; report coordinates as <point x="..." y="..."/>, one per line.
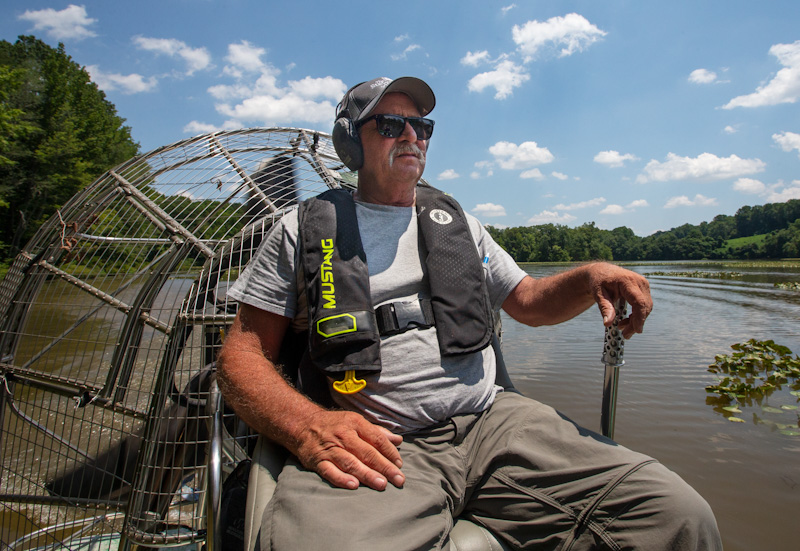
<point x="347" y="450"/>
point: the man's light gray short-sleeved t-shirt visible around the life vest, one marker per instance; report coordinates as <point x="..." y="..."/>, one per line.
<point x="416" y="387"/>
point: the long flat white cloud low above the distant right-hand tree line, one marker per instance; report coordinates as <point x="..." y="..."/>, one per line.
<point x="704" y="167"/>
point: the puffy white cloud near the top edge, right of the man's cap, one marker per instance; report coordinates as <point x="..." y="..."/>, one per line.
<point x="568" y="34"/>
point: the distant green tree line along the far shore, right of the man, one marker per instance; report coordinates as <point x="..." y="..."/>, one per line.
<point x="763" y="231"/>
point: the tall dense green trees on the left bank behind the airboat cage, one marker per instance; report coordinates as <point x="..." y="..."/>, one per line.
<point x="59" y="133"/>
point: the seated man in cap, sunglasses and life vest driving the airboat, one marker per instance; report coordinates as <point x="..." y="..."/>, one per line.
<point x="420" y="433"/>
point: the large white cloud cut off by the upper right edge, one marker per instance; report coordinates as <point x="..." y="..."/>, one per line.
<point x="783" y="88"/>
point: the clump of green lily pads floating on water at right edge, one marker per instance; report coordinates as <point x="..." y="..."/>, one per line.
<point x="748" y="377"/>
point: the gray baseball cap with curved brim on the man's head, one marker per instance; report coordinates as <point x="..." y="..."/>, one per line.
<point x="359" y="101"/>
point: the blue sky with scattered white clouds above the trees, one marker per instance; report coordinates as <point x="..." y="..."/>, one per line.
<point x="625" y="113"/>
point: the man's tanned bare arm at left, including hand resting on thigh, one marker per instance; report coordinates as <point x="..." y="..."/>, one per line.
<point x="343" y="447"/>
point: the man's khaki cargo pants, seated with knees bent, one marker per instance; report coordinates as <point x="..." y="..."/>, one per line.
<point x="521" y="470"/>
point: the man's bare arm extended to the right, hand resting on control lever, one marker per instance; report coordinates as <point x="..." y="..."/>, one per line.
<point x="560" y="297"/>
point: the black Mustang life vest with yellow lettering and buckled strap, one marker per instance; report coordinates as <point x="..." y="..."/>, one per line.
<point x="344" y="327"/>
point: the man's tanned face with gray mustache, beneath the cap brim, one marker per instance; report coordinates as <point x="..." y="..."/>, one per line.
<point x="393" y="161"/>
